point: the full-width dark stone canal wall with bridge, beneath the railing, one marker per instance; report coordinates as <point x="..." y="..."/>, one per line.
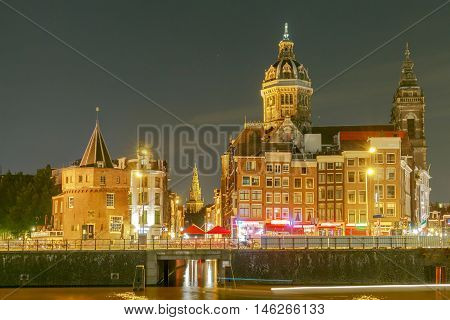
<point x="307" y="267"/>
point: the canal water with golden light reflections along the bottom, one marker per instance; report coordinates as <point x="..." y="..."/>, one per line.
<point x="196" y="280"/>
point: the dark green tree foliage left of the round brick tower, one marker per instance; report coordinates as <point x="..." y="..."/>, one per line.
<point x="25" y="200"/>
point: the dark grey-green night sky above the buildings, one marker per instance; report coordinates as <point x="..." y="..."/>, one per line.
<point x="204" y="62"/>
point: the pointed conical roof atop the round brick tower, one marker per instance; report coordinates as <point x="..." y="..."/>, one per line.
<point x="96" y="153"/>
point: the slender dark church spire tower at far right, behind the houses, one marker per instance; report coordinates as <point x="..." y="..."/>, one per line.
<point x="408" y="110"/>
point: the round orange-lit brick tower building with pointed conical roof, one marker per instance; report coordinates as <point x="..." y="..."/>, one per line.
<point x="94" y="198"/>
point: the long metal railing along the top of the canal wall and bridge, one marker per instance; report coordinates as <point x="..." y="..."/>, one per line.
<point x="265" y="243"/>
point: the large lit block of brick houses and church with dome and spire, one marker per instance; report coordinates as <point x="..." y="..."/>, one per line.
<point x="284" y="176"/>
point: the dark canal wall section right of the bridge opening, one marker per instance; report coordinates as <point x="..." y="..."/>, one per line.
<point x="339" y="267"/>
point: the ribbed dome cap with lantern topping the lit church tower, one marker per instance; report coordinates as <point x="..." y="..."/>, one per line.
<point x="286" y="66"/>
